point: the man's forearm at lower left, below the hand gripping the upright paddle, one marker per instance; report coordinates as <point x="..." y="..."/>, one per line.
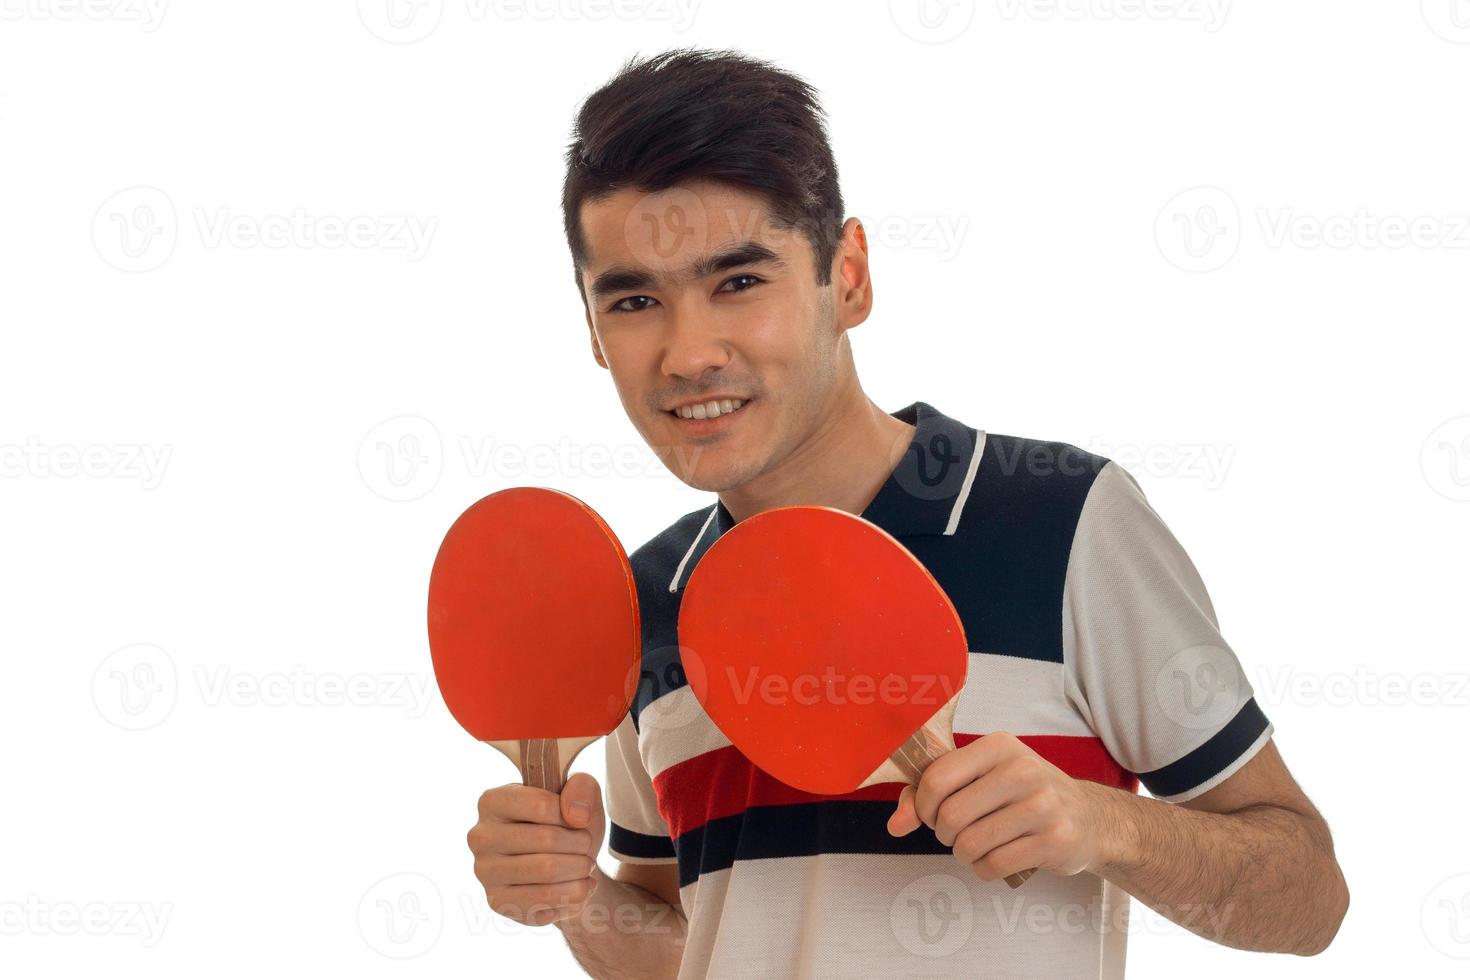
<point x="625" y="932"/>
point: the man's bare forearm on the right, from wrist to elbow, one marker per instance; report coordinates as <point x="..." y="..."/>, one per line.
<point x="1263" y="878"/>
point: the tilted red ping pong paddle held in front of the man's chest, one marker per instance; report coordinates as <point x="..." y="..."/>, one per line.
<point x="824" y="652"/>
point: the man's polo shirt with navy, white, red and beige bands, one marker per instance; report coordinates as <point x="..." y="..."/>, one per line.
<point x="1091" y="638"/>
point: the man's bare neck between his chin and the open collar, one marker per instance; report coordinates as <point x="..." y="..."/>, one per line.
<point x="843" y="464"/>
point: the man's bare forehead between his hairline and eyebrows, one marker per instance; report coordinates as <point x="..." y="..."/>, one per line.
<point x="665" y="233"/>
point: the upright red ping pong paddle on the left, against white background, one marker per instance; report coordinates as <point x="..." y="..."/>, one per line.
<point x="534" y="628"/>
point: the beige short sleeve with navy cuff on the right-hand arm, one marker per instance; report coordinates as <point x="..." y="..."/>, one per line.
<point x="1144" y="656"/>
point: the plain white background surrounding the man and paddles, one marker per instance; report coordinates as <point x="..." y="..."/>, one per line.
<point x="229" y="462"/>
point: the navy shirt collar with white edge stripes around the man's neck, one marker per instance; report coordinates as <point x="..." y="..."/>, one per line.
<point x="922" y="496"/>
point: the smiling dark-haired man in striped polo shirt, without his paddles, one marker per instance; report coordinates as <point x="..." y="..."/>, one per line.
<point x="720" y="283"/>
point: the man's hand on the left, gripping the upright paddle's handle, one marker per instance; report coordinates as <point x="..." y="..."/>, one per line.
<point x="536" y="851"/>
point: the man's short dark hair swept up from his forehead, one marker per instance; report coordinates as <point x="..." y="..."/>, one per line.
<point x="687" y="115"/>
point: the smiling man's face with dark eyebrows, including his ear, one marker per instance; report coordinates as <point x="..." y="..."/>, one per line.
<point x="695" y="296"/>
